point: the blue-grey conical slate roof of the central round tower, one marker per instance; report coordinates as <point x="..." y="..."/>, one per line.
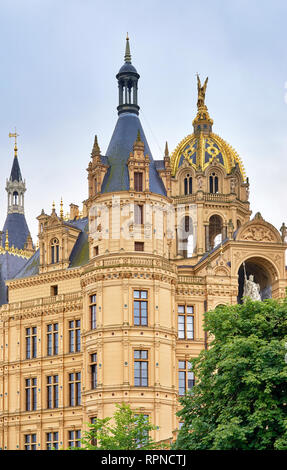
<point x="118" y="152"/>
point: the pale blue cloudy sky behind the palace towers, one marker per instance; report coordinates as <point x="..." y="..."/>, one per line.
<point x="59" y="59"/>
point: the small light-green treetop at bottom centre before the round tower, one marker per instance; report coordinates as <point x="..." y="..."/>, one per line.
<point x="129" y="431"/>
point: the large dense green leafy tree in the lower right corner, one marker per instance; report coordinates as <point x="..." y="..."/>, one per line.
<point x="240" y="397"/>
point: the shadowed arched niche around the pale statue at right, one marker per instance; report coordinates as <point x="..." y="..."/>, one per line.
<point x="263" y="274"/>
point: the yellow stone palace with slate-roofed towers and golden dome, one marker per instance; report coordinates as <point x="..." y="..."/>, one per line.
<point x="108" y="308"/>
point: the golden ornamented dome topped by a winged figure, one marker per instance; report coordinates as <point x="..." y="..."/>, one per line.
<point x="203" y="147"/>
